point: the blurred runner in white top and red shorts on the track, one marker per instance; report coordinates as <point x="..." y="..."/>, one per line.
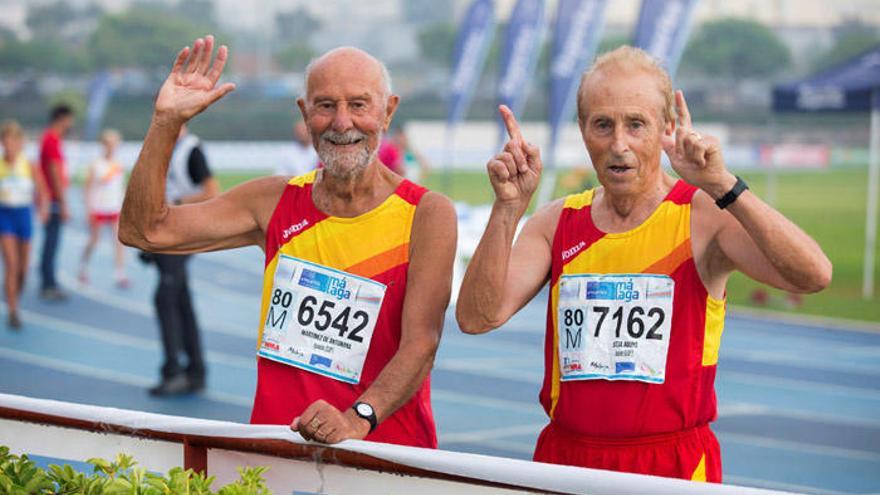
<point x="104" y="188"/>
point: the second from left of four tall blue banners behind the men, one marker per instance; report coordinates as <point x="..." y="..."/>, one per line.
<point x="522" y="47"/>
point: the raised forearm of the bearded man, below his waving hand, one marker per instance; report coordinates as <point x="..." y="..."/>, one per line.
<point x="144" y="206"/>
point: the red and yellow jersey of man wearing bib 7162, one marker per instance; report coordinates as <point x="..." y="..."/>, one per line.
<point x="661" y="246"/>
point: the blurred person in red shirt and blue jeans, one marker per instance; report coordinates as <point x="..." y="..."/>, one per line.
<point x="52" y="166"/>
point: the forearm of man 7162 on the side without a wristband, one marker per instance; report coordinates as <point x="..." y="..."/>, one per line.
<point x="481" y="298"/>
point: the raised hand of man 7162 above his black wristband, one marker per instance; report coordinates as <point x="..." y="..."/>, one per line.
<point x="695" y="157"/>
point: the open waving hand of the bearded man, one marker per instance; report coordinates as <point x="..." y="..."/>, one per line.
<point x="192" y="84"/>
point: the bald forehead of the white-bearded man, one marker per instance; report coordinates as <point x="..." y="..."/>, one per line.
<point x="345" y="74"/>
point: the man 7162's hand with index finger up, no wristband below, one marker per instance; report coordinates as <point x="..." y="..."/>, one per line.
<point x="515" y="172"/>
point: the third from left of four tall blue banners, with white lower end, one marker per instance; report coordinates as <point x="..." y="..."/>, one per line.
<point x="575" y="38"/>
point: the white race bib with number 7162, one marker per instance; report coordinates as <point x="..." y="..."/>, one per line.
<point x="614" y="327"/>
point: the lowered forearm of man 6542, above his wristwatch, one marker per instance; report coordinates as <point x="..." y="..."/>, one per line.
<point x="400" y="378"/>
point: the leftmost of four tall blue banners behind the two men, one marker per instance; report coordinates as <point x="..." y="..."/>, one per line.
<point x="471" y="49"/>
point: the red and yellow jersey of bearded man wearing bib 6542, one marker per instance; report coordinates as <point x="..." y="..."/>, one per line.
<point x="374" y="245"/>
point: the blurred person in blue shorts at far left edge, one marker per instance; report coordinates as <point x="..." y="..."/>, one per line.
<point x="20" y="187"/>
